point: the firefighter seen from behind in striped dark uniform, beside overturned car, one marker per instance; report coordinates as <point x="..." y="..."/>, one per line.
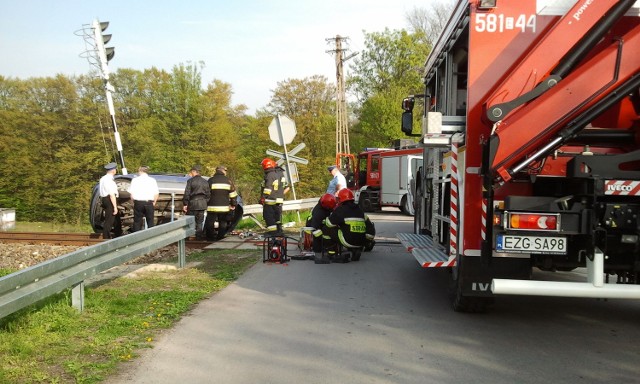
<point x="222" y="202"/>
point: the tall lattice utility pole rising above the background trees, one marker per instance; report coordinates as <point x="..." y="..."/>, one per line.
<point x="342" y="123"/>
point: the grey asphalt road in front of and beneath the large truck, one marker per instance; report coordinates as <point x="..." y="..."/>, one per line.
<point x="386" y="320"/>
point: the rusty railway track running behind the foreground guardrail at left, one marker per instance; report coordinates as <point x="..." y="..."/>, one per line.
<point x="71" y="239"/>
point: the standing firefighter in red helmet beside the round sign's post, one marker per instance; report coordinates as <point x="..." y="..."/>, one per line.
<point x="274" y="186"/>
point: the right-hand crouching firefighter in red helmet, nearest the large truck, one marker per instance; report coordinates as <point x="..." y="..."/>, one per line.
<point x="349" y="227"/>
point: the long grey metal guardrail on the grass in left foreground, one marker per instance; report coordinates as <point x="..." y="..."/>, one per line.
<point x="30" y="285"/>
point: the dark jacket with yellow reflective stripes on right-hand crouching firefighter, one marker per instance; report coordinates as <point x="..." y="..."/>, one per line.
<point x="354" y="226"/>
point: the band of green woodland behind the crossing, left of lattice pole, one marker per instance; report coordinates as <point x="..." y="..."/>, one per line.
<point x="56" y="133"/>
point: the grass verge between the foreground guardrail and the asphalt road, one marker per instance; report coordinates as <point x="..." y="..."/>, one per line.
<point x="53" y="343"/>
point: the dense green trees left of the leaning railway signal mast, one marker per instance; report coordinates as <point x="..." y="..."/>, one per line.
<point x="47" y="150"/>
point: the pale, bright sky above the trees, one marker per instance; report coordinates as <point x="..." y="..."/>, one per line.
<point x="249" y="44"/>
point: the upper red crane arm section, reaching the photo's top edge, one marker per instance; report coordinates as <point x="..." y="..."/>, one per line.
<point x="565" y="44"/>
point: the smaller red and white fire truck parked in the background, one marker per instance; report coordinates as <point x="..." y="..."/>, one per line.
<point x="384" y="177"/>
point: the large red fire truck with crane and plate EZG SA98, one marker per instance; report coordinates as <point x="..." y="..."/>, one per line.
<point x="531" y="140"/>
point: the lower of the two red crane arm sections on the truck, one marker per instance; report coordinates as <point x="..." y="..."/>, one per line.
<point x="538" y="126"/>
